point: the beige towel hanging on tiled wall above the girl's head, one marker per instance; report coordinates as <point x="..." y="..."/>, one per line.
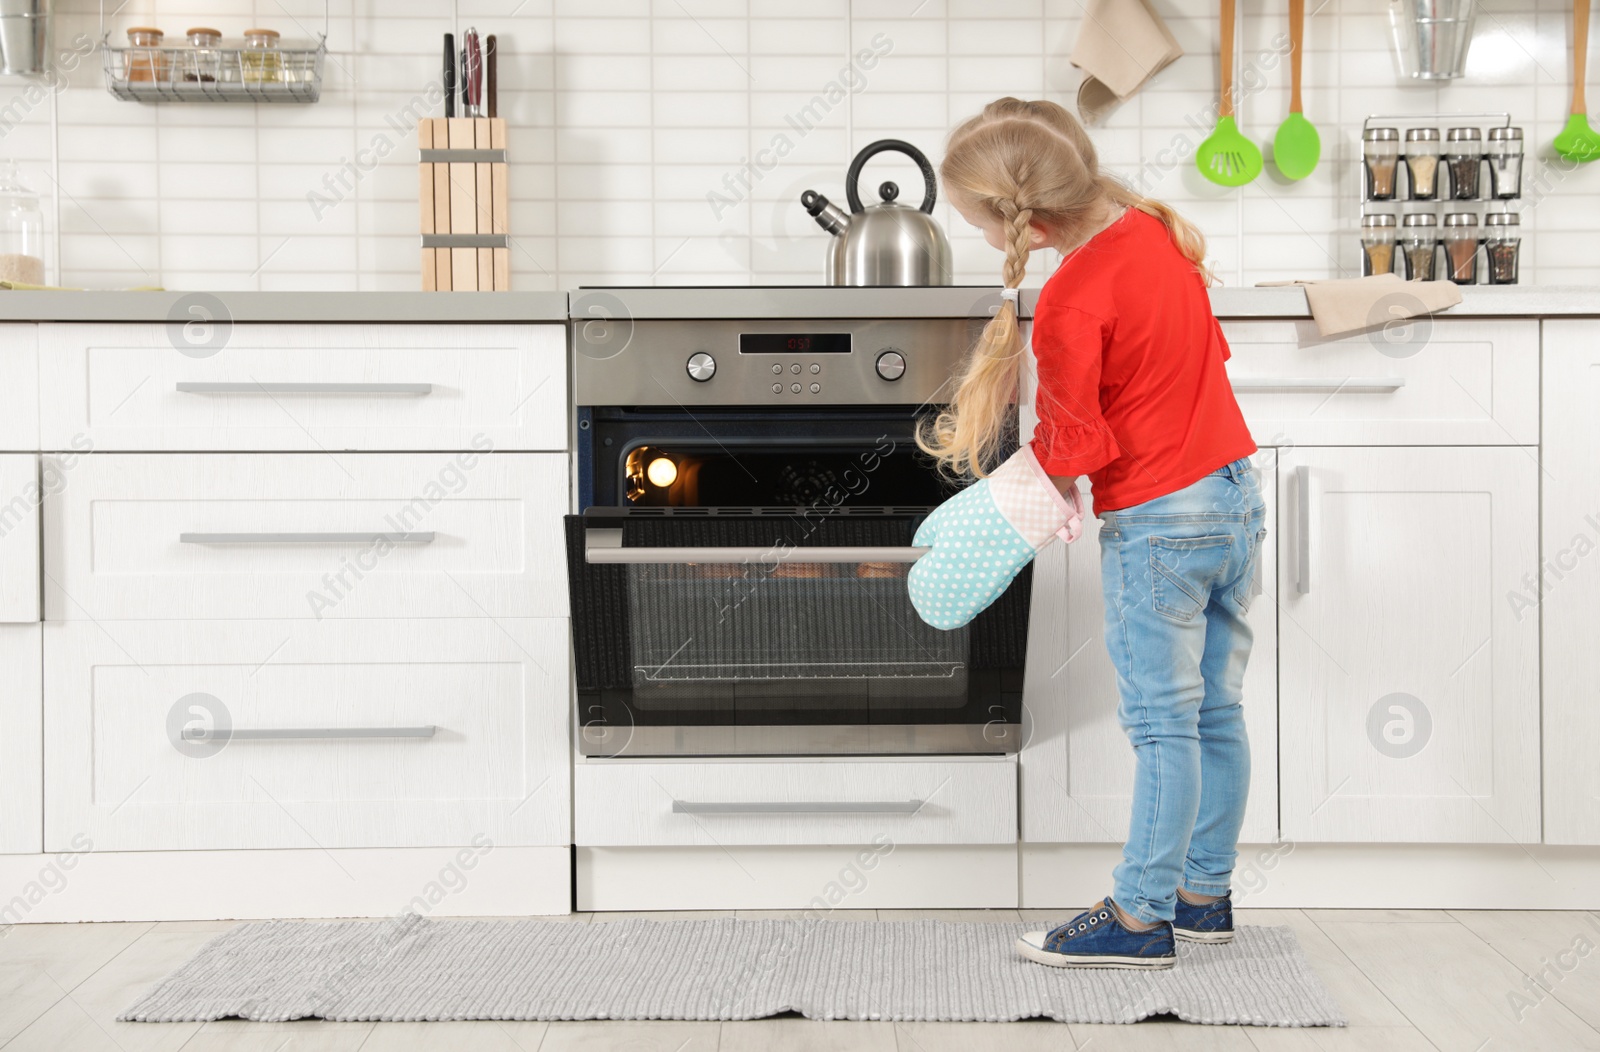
<point x="1121" y="47"/>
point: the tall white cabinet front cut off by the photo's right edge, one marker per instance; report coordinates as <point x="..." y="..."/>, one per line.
<point x="1569" y="591"/>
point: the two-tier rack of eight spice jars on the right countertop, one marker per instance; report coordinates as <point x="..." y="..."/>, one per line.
<point x="1455" y="199"/>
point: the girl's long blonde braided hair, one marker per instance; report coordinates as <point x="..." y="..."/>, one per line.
<point x="1023" y="164"/>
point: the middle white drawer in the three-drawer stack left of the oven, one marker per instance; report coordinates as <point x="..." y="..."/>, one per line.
<point x="308" y="536"/>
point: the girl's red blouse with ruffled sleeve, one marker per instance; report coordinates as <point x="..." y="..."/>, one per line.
<point x="1132" y="388"/>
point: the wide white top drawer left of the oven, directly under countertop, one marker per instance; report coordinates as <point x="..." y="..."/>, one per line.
<point x="306" y="388"/>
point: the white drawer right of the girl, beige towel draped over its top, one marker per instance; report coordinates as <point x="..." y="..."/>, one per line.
<point x="1434" y="383"/>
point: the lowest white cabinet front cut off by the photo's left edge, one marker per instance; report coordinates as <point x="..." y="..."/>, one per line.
<point x="22" y="741"/>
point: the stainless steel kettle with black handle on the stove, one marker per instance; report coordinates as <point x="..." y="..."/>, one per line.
<point x="887" y="244"/>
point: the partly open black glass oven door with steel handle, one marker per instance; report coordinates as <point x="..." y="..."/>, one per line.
<point x="756" y="631"/>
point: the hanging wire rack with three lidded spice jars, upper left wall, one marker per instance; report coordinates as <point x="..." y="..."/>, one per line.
<point x="214" y="74"/>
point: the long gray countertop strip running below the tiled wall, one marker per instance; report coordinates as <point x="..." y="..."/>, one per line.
<point x="1529" y="301"/>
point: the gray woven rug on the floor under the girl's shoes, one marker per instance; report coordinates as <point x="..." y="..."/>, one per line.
<point x="714" y="970"/>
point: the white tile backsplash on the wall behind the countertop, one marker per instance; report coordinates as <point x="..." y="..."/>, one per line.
<point x="668" y="141"/>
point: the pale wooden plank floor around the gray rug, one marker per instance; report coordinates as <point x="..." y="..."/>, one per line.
<point x="1407" y="981"/>
